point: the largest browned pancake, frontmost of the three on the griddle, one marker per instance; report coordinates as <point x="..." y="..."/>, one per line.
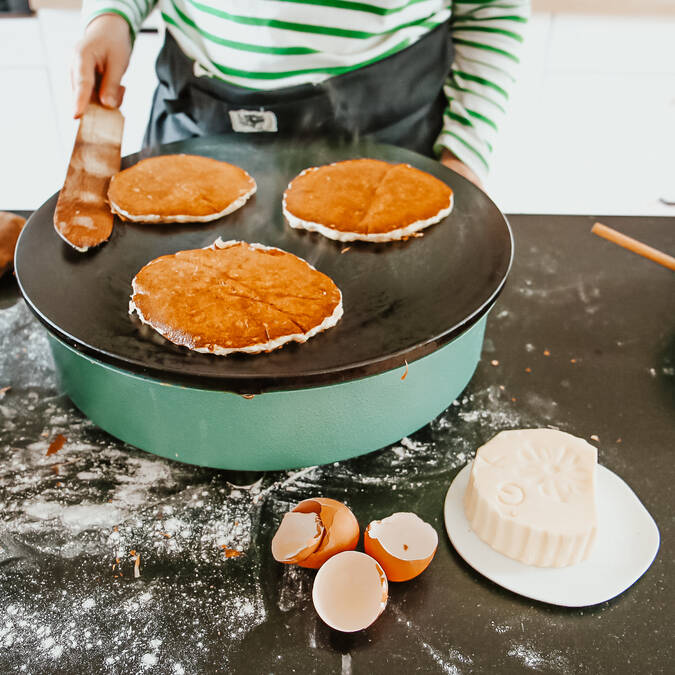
<point x="234" y="297"/>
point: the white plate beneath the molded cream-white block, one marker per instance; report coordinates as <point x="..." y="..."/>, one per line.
<point x="626" y="544"/>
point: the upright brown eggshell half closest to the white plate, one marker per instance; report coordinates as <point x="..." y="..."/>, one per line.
<point x="402" y="543"/>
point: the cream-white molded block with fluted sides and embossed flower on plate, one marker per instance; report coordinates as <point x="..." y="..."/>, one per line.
<point x="531" y="496"/>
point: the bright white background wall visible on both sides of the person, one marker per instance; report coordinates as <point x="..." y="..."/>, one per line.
<point x="591" y="126"/>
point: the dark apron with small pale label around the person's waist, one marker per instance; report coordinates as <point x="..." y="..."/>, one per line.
<point x="397" y="100"/>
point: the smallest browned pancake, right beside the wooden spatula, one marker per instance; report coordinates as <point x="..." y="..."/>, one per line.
<point x="179" y="189"/>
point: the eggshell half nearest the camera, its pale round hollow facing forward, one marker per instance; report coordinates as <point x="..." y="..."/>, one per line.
<point x="350" y="591"/>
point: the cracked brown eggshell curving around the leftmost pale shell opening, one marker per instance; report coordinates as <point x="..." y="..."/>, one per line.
<point x="341" y="529"/>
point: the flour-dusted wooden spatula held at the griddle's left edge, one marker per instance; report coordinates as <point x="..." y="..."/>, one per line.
<point x="83" y="218"/>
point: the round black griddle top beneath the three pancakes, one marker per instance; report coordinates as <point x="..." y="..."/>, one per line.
<point x="401" y="300"/>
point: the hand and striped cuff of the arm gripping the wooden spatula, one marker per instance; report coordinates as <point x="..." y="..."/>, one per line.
<point x="102" y="56"/>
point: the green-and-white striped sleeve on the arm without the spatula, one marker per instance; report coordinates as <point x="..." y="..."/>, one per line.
<point x="487" y="35"/>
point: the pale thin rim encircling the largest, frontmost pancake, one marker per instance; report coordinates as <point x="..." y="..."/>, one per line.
<point x="260" y="347"/>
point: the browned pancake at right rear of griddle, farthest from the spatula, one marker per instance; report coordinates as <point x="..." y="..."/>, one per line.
<point x="366" y="199"/>
